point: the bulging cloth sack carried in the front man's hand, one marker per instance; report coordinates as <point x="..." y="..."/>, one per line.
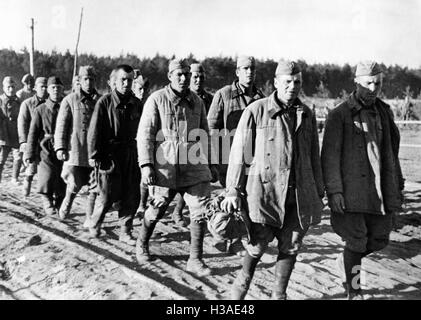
<point x="227" y="226"/>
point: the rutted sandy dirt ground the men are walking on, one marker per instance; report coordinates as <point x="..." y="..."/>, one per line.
<point x="45" y="258"/>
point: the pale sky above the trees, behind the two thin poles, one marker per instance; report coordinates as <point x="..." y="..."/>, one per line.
<point x="335" y="31"/>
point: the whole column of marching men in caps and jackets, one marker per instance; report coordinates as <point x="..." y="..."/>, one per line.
<point x="135" y="150"/>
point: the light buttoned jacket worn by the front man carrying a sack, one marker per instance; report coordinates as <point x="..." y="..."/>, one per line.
<point x="263" y="146"/>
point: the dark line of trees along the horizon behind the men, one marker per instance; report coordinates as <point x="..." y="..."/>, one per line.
<point x="319" y="80"/>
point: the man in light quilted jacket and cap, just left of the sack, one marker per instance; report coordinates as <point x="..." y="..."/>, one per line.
<point x="172" y="119"/>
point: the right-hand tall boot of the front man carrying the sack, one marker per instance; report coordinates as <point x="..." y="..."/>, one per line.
<point x="283" y="270"/>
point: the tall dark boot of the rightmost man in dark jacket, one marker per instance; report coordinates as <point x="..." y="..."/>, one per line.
<point x="352" y="264"/>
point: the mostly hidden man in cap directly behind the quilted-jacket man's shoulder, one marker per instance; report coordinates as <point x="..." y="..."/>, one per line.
<point x="197" y="82"/>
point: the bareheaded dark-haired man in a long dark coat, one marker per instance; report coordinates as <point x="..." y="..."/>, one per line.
<point x="112" y="151"/>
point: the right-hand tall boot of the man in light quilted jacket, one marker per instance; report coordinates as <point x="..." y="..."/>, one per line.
<point x="195" y="263"/>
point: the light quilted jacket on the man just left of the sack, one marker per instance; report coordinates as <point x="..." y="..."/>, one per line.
<point x="166" y="139"/>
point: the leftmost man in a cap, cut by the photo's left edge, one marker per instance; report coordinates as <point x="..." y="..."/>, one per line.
<point x="9" y="141"/>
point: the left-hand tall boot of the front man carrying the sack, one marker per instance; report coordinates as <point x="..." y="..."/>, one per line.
<point x="242" y="281"/>
